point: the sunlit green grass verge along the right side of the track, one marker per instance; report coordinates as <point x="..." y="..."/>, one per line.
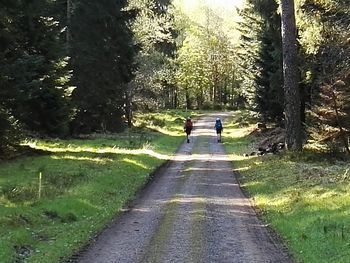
<point x="304" y="197"/>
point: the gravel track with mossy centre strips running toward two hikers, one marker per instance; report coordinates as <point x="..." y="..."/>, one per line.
<point x="194" y="211"/>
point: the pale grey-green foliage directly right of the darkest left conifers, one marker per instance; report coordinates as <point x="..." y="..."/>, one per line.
<point x="153" y="86"/>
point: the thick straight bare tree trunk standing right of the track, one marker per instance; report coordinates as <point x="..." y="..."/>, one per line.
<point x="291" y="77"/>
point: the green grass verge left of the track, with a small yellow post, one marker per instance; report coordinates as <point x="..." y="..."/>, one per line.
<point x="84" y="184"/>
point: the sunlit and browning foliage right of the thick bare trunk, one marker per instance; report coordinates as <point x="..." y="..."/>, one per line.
<point x="324" y="38"/>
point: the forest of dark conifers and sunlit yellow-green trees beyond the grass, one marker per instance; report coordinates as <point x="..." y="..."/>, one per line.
<point x="71" y="67"/>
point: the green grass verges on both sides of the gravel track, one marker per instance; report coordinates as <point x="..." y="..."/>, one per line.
<point x="85" y="183"/>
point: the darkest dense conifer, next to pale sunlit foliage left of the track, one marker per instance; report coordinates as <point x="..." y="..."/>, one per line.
<point x="102" y="54"/>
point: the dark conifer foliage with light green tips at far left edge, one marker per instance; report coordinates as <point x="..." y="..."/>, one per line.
<point x="33" y="72"/>
